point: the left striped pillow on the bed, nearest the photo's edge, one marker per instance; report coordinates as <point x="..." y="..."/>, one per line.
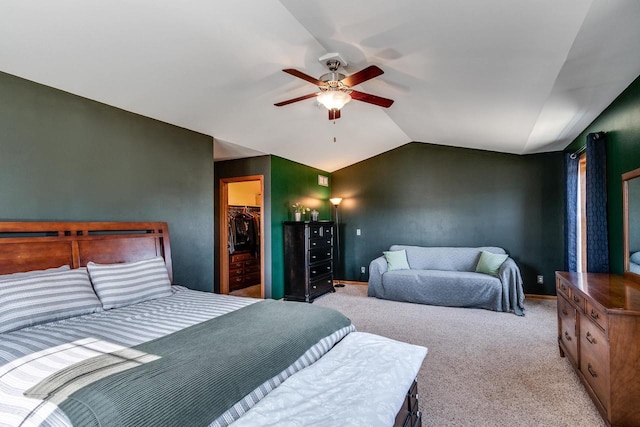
<point x="41" y="298"/>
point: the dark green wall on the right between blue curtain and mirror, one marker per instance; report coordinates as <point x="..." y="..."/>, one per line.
<point x="621" y="121"/>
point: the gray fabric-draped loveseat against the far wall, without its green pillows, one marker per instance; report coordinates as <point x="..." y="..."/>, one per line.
<point x="446" y="276"/>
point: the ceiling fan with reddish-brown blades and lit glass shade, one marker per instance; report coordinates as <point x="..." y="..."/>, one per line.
<point x="336" y="88"/>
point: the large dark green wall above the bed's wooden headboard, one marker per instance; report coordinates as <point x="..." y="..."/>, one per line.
<point x="63" y="157"/>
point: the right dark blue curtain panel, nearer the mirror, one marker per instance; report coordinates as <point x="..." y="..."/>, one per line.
<point x="596" y="186"/>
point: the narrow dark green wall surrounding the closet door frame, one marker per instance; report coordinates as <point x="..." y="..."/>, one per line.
<point x="260" y="165"/>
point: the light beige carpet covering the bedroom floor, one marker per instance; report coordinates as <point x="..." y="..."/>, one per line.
<point x="483" y="368"/>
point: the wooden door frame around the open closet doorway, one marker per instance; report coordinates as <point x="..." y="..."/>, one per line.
<point x="224" y="235"/>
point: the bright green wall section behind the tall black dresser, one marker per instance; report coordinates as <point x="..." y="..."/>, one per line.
<point x="291" y="182"/>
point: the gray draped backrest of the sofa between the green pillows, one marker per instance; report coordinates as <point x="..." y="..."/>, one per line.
<point x="444" y="258"/>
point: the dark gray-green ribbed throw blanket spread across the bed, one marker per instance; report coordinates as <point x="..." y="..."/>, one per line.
<point x="192" y="376"/>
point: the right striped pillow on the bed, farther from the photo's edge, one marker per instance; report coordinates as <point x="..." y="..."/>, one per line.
<point x="118" y="285"/>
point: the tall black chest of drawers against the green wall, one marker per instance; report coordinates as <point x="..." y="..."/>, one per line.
<point x="308" y="259"/>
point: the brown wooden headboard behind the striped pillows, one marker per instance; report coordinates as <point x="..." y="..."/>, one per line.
<point x="26" y="246"/>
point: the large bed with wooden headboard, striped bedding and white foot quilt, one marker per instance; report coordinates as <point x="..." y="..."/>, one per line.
<point x="93" y="332"/>
